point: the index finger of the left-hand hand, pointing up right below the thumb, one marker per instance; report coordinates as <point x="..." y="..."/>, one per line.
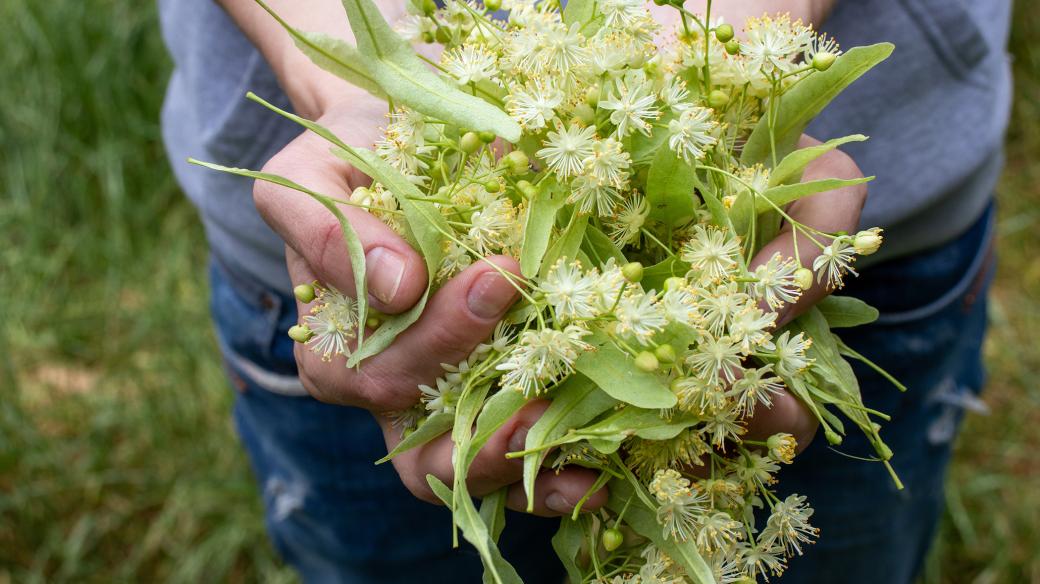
<point x="461" y="315"/>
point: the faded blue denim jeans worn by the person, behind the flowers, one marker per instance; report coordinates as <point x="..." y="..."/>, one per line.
<point x="337" y="518"/>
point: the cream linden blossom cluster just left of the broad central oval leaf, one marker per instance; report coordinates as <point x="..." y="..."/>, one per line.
<point x="543" y="357"/>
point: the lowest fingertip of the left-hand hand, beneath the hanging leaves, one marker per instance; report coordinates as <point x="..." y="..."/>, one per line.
<point x="557" y="494"/>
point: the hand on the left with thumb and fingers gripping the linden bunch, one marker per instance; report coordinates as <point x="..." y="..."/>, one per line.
<point x="462" y="314"/>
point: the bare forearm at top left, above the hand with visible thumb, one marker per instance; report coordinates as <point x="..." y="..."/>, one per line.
<point x="309" y="88"/>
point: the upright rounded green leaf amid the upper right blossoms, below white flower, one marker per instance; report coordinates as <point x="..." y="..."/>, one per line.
<point x="670" y="189"/>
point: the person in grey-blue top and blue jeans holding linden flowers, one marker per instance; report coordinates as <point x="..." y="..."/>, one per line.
<point x="937" y="113"/>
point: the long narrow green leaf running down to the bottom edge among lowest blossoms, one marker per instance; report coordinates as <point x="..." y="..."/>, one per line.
<point x="643" y="520"/>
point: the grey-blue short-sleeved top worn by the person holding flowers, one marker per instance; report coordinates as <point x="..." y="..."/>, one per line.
<point x="935" y="112"/>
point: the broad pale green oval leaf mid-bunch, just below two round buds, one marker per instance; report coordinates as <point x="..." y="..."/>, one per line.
<point x="615" y="373"/>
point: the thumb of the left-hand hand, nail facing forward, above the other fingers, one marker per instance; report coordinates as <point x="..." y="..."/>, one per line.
<point x="396" y="275"/>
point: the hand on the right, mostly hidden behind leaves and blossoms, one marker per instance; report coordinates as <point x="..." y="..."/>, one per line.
<point x="833" y="211"/>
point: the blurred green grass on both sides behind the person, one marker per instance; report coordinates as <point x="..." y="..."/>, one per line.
<point x="118" y="458"/>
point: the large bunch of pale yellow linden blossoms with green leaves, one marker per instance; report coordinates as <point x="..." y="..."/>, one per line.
<point x="634" y="172"/>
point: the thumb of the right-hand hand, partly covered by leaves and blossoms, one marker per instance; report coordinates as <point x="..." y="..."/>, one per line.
<point x="831" y="213"/>
